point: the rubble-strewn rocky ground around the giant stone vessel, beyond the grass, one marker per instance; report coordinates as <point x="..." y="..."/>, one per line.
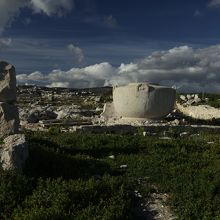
<point x="42" y="108"/>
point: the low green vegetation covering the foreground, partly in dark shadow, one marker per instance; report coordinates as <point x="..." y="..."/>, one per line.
<point x="70" y="176"/>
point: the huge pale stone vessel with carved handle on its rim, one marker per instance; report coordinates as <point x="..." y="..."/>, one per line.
<point x="143" y="100"/>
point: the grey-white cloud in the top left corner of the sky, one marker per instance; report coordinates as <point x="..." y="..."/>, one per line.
<point x="9" y="9"/>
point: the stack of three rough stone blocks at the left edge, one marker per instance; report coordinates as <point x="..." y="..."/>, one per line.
<point x="13" y="151"/>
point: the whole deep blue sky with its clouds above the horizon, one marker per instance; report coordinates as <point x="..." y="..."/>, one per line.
<point x="91" y="43"/>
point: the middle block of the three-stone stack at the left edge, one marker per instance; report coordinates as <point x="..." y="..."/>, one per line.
<point x="9" y="119"/>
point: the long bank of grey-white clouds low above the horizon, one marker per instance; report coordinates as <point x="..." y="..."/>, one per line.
<point x="187" y="68"/>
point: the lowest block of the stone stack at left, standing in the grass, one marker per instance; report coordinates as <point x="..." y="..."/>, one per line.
<point x="14" y="152"/>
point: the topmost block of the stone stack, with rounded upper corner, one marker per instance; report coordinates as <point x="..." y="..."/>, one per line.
<point x="7" y="82"/>
